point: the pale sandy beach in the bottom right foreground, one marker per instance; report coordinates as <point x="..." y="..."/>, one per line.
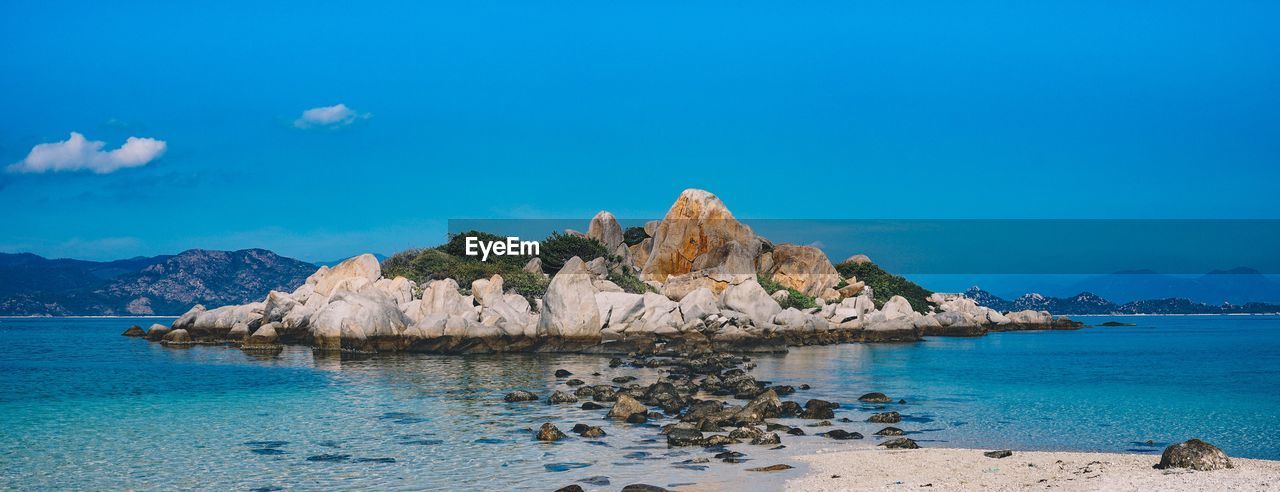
<point x="957" y="470"/>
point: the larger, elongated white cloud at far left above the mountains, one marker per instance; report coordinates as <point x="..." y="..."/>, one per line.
<point x="80" y="154"/>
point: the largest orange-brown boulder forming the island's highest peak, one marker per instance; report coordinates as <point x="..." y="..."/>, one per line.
<point x="700" y="225"/>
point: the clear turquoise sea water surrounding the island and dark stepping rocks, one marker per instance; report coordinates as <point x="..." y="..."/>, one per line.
<point x="85" y="408"/>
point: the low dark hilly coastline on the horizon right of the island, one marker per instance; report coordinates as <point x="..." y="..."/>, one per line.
<point x="1087" y="303"/>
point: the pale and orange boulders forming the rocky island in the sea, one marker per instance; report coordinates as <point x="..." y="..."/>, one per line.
<point x="698" y="280"/>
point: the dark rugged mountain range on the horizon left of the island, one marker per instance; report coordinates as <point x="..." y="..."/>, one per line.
<point x="167" y="285"/>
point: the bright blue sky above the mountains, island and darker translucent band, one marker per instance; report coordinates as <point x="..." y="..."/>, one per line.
<point x="907" y="110"/>
